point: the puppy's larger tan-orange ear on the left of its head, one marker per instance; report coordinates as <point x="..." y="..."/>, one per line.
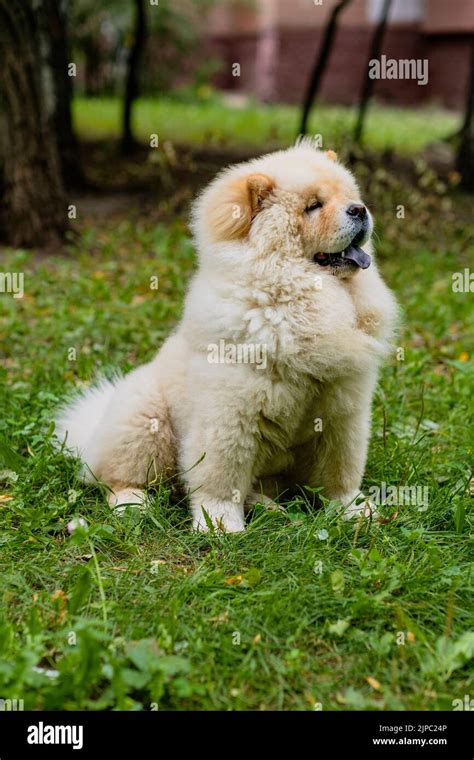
<point x="237" y="204"/>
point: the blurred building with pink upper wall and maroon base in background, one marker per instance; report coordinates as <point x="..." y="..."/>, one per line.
<point x="276" y="41"/>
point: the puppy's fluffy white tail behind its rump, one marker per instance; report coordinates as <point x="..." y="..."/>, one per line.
<point x="77" y="420"/>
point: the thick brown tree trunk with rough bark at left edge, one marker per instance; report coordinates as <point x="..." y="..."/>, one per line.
<point x="34" y="202"/>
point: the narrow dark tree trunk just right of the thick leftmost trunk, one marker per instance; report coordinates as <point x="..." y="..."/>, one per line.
<point x="54" y="22"/>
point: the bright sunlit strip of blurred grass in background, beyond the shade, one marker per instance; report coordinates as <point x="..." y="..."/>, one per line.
<point x="261" y="126"/>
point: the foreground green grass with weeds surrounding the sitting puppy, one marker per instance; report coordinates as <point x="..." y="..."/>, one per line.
<point x="303" y="608"/>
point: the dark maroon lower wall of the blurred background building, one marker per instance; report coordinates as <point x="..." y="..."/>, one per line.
<point x="296" y="49"/>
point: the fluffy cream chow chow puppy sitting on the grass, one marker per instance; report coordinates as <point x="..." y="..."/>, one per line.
<point x="266" y="383"/>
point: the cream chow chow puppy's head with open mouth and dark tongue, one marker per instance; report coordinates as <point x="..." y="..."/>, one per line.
<point x="298" y="203"/>
